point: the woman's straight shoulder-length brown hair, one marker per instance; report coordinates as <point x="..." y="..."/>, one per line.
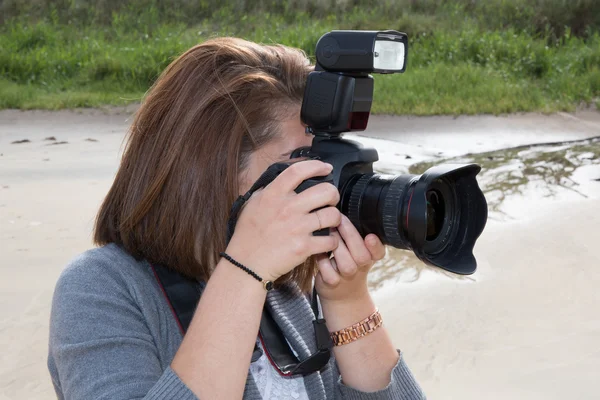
<point x="188" y="144"/>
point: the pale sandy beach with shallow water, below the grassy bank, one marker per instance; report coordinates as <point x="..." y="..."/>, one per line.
<point x="526" y="325"/>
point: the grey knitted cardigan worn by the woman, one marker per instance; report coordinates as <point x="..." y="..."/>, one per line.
<point x="113" y="336"/>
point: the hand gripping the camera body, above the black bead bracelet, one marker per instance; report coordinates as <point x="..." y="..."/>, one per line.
<point x="274" y="231"/>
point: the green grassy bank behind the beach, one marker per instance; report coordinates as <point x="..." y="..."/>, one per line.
<point x="464" y="58"/>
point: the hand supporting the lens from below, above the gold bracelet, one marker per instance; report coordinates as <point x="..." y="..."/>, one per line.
<point x="344" y="277"/>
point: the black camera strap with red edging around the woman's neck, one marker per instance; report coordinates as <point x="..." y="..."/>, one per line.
<point x="183" y="294"/>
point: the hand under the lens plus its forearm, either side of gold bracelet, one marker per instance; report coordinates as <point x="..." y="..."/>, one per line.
<point x="365" y="364"/>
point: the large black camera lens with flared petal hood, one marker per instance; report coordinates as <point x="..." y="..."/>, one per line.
<point x="439" y="215"/>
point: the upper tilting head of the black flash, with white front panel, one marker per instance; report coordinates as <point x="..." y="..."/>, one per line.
<point x="381" y="52"/>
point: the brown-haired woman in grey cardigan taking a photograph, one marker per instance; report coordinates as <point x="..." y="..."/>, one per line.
<point x="214" y="121"/>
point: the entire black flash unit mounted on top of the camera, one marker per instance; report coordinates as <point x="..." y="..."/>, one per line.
<point x="339" y="92"/>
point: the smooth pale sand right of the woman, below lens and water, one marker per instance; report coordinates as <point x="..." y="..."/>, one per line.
<point x="525" y="326"/>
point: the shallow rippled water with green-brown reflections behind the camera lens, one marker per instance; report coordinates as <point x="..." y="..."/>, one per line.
<point x="516" y="182"/>
